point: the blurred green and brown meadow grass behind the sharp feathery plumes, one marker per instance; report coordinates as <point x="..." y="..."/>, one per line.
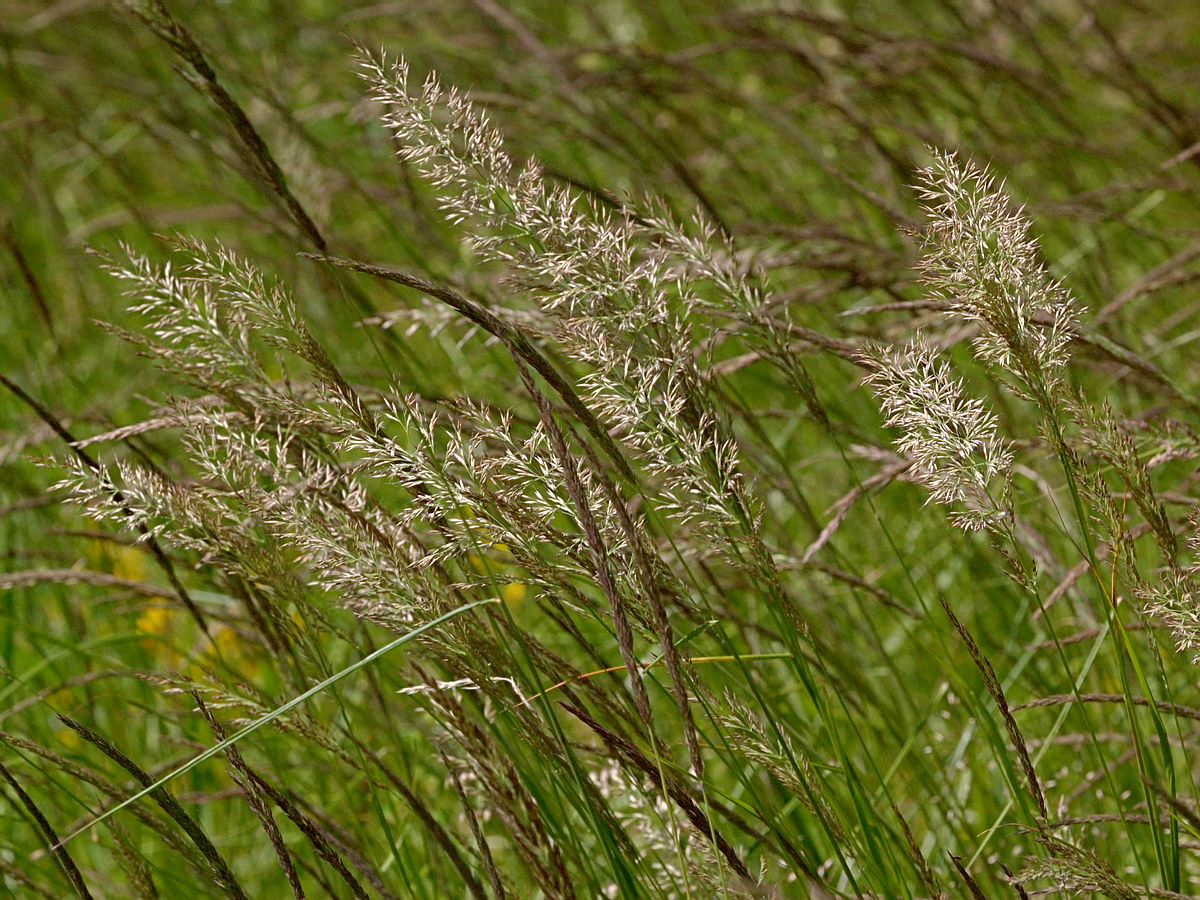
<point x="796" y="130"/>
